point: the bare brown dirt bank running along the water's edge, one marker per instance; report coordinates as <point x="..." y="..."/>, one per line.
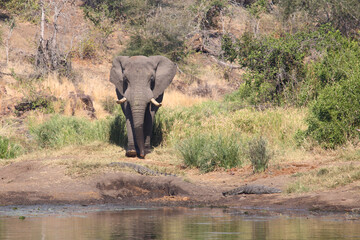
<point x="39" y="182"/>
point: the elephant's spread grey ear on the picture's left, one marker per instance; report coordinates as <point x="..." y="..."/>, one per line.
<point x="116" y="73"/>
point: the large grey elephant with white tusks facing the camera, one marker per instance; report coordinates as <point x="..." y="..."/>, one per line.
<point x="140" y="83"/>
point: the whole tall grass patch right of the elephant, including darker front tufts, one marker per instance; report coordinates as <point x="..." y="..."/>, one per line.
<point x="211" y="134"/>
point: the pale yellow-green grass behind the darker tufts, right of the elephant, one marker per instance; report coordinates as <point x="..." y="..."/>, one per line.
<point x="277" y="125"/>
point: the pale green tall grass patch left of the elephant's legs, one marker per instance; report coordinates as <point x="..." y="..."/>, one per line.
<point x="60" y="131"/>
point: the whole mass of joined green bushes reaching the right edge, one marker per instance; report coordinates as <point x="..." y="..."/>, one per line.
<point x="316" y="68"/>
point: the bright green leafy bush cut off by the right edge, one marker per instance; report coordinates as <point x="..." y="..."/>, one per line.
<point x="334" y="117"/>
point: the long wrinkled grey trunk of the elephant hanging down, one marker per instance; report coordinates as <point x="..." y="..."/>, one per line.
<point x="138" y="112"/>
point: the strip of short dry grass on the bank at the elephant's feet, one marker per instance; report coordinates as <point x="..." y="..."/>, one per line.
<point x="94" y="158"/>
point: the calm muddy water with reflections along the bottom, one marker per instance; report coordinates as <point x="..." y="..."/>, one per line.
<point x="109" y="222"/>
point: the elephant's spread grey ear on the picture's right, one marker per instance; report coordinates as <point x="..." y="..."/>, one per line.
<point x="165" y="72"/>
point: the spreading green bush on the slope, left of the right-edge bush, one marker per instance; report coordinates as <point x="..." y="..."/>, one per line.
<point x="276" y="64"/>
